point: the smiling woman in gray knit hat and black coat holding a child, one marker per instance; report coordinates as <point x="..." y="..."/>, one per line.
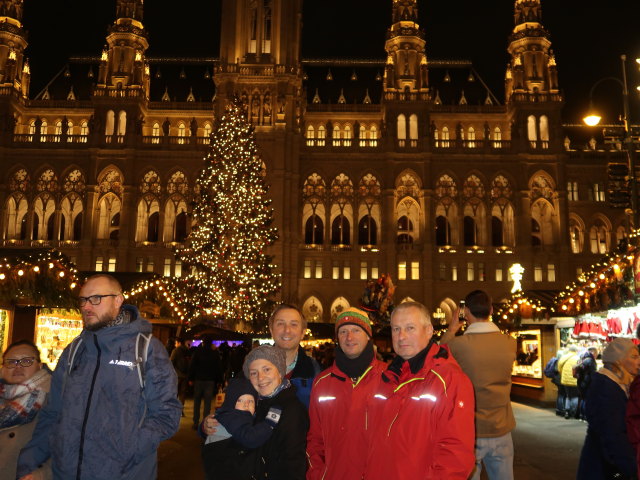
<point x="283" y="457"/>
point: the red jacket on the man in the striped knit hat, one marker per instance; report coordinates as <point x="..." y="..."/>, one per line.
<point x="336" y="442"/>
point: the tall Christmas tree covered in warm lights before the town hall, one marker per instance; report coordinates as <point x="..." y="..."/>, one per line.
<point x="229" y="274"/>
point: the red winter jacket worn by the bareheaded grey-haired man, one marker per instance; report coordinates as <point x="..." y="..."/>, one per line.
<point x="422" y="421"/>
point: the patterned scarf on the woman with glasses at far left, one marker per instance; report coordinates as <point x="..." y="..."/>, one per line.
<point x="21" y="402"/>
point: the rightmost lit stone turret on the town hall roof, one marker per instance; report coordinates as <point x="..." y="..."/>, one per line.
<point x="532" y="69"/>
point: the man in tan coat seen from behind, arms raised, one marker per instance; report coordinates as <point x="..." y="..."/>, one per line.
<point x="486" y="355"/>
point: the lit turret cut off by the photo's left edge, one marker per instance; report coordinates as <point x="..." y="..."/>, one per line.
<point x="14" y="69"/>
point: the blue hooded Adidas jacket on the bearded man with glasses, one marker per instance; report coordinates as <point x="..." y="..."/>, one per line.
<point x="98" y="423"/>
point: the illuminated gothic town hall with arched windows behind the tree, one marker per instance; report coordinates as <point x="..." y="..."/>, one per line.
<point x="399" y="165"/>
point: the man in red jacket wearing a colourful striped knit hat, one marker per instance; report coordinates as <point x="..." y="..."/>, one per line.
<point x="337" y="442"/>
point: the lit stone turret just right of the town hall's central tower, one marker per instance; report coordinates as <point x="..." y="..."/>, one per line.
<point x="406" y="68"/>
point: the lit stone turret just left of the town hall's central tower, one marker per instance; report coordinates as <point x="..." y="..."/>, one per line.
<point x="123" y="65"/>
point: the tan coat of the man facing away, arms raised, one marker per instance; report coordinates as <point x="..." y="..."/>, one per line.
<point x="487" y="359"/>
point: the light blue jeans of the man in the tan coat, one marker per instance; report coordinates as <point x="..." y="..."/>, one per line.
<point x="497" y="455"/>
